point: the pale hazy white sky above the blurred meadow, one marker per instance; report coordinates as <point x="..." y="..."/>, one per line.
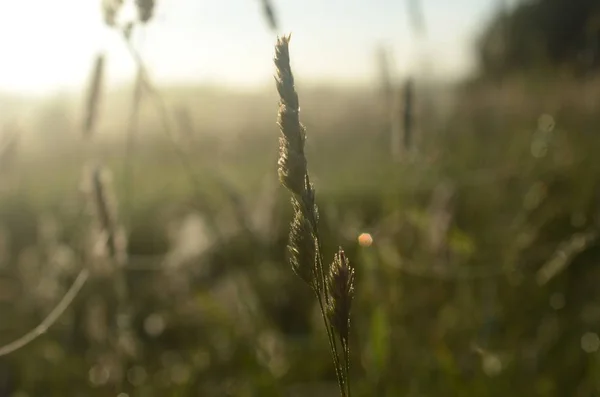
<point x="48" y="46"/>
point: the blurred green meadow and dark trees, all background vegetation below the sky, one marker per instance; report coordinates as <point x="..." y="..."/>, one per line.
<point x="481" y="278"/>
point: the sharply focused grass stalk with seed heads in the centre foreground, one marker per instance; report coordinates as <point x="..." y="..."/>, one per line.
<point x="332" y="285"/>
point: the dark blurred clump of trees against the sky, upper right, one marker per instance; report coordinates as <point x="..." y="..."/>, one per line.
<point x="555" y="34"/>
